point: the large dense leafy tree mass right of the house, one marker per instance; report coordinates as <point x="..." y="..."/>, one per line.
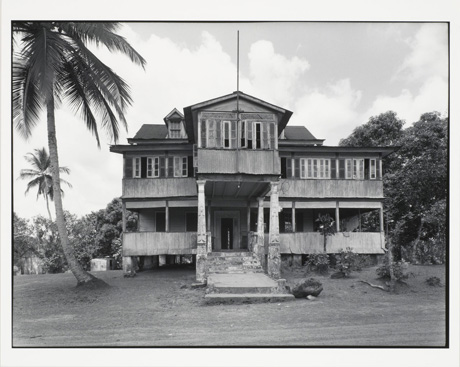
<point x="415" y="178"/>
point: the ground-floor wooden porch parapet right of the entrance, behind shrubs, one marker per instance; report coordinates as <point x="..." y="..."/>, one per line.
<point x="311" y="242"/>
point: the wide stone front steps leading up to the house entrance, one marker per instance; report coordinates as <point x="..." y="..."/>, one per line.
<point x="239" y="277"/>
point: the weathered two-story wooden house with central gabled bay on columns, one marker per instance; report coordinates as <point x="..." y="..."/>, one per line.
<point x="230" y="176"/>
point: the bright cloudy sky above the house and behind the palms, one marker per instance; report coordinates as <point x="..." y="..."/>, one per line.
<point x="333" y="75"/>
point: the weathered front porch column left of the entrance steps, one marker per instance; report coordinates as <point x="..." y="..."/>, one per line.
<point x="201" y="250"/>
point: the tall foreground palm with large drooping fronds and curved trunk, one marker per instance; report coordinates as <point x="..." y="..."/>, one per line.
<point x="54" y="65"/>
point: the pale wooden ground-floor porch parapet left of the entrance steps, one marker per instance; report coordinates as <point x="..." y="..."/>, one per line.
<point x="159" y="243"/>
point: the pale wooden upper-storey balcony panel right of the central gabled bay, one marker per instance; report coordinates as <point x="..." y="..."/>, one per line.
<point x="328" y="188"/>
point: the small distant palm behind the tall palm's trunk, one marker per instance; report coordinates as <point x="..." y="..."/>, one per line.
<point x="41" y="175"/>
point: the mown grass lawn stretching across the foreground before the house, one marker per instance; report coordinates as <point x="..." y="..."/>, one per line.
<point x="159" y="308"/>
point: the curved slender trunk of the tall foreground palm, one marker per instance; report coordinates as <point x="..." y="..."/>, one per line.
<point x="79" y="273"/>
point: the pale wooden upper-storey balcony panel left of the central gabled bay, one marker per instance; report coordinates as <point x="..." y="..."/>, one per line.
<point x="158" y="187"/>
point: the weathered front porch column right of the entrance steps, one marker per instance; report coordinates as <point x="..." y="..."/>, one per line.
<point x="274" y="256"/>
